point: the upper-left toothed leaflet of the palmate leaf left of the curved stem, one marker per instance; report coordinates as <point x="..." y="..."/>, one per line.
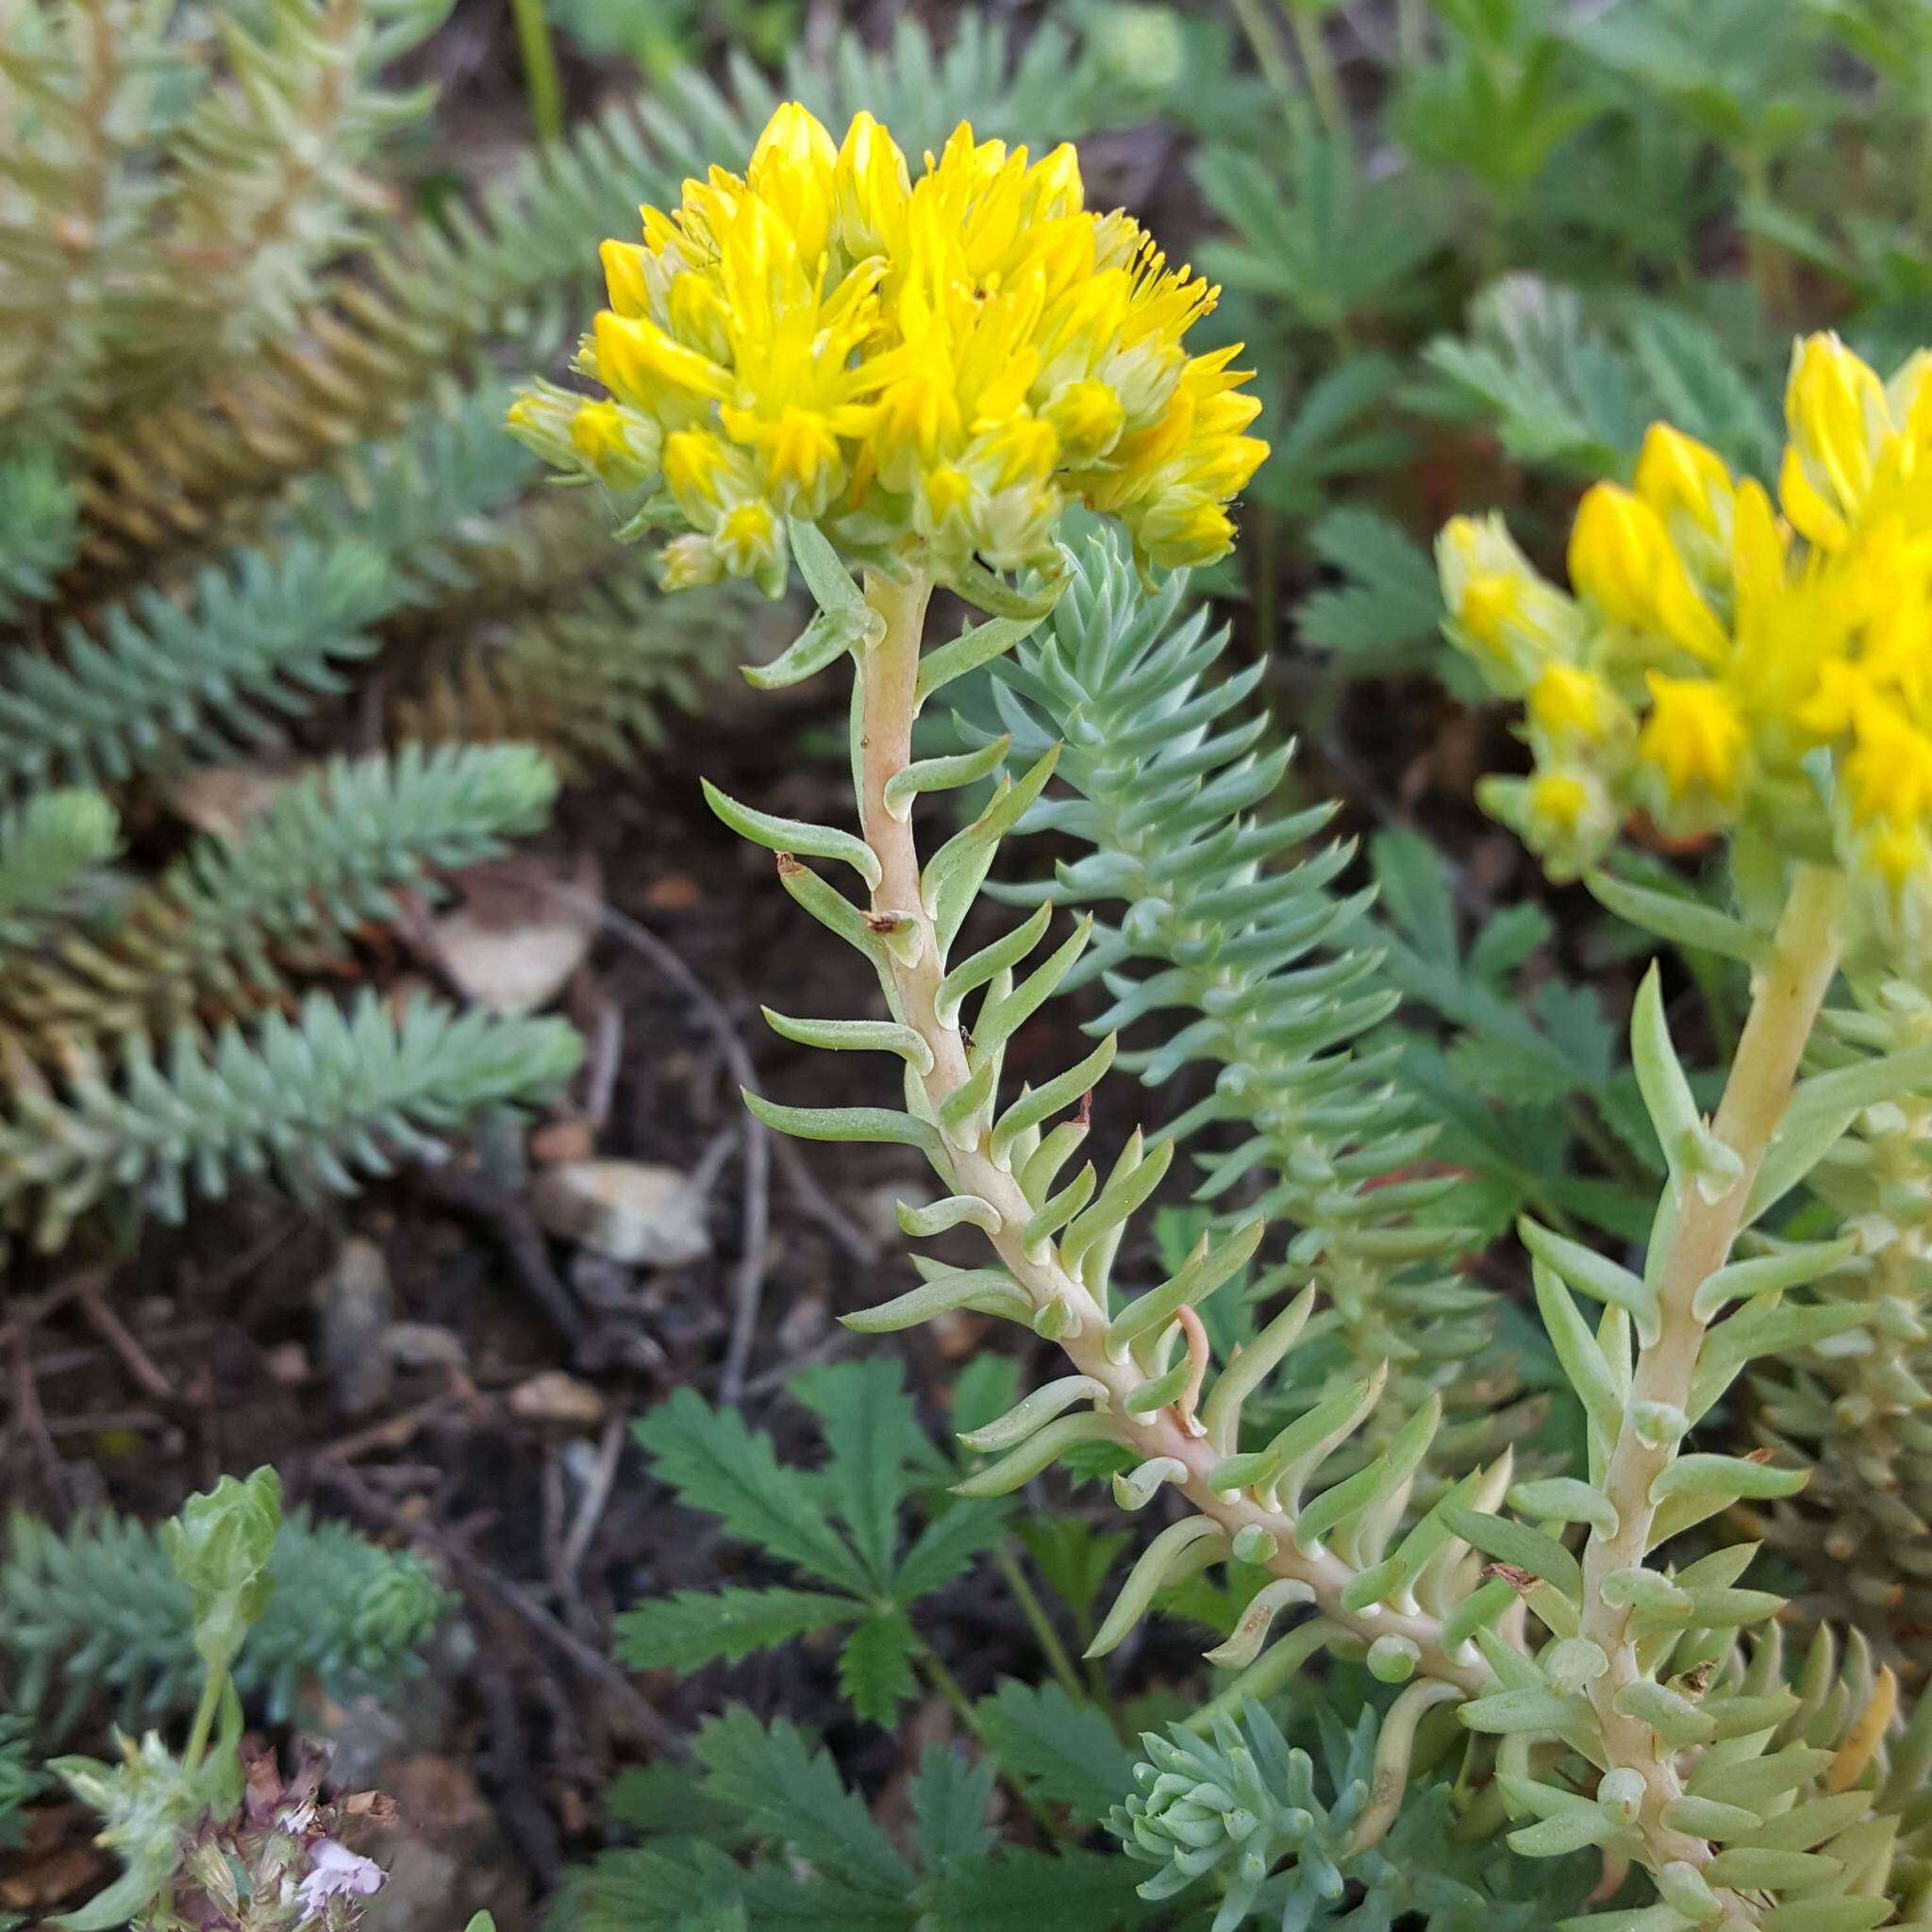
<point x="731" y="1473"/>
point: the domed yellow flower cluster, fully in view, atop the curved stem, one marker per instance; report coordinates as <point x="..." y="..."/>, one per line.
<point x="928" y="370"/>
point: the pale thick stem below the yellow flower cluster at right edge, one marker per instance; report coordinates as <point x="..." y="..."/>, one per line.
<point x="1755" y="1098"/>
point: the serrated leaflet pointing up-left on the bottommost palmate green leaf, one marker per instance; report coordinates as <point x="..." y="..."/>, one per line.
<point x="793" y="1794"/>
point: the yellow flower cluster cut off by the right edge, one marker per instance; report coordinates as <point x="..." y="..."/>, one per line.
<point x="1724" y="662"/>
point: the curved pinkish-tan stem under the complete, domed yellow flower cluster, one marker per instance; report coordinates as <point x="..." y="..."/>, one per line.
<point x="888" y="704"/>
